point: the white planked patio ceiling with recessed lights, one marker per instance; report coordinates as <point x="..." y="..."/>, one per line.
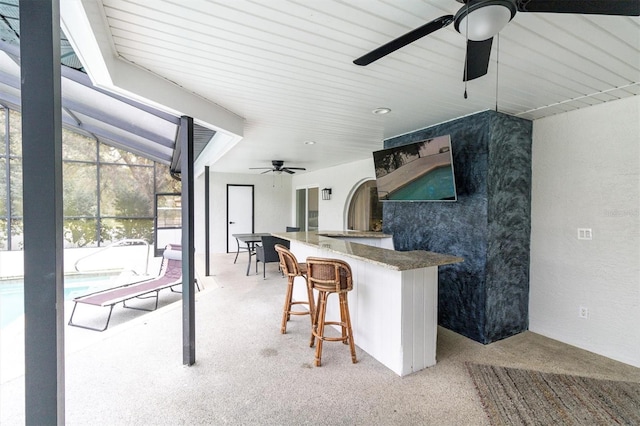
<point x="285" y="66"/>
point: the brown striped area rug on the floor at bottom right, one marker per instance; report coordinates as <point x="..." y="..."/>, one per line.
<point x="523" y="397"/>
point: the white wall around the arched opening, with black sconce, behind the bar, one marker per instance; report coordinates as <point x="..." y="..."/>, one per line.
<point x="343" y="181"/>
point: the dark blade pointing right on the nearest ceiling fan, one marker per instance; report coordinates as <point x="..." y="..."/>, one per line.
<point x="595" y="7"/>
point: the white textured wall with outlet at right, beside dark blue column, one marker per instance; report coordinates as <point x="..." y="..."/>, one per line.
<point x="586" y="174"/>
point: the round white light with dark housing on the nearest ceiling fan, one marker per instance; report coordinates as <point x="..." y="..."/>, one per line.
<point x="485" y="19"/>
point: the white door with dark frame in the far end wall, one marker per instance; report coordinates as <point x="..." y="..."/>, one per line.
<point x="239" y="213"/>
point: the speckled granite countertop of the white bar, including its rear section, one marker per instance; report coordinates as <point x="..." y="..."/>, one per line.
<point x="391" y="259"/>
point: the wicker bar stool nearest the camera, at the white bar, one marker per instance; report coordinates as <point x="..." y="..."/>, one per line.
<point x="330" y="276"/>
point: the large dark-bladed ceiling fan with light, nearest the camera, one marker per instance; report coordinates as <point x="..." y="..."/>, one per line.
<point x="480" y="20"/>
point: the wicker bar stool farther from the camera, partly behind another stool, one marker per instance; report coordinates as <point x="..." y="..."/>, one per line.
<point x="292" y="269"/>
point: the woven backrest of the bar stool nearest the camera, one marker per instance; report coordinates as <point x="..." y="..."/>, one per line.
<point x="332" y="275"/>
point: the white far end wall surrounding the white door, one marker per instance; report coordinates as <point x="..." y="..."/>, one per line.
<point x="272" y="205"/>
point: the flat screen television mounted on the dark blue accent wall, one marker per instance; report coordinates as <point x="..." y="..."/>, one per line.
<point x="419" y="171"/>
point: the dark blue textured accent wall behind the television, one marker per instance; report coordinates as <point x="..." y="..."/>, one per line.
<point x="486" y="297"/>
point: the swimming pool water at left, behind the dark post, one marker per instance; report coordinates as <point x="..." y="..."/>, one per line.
<point x="12" y="293"/>
